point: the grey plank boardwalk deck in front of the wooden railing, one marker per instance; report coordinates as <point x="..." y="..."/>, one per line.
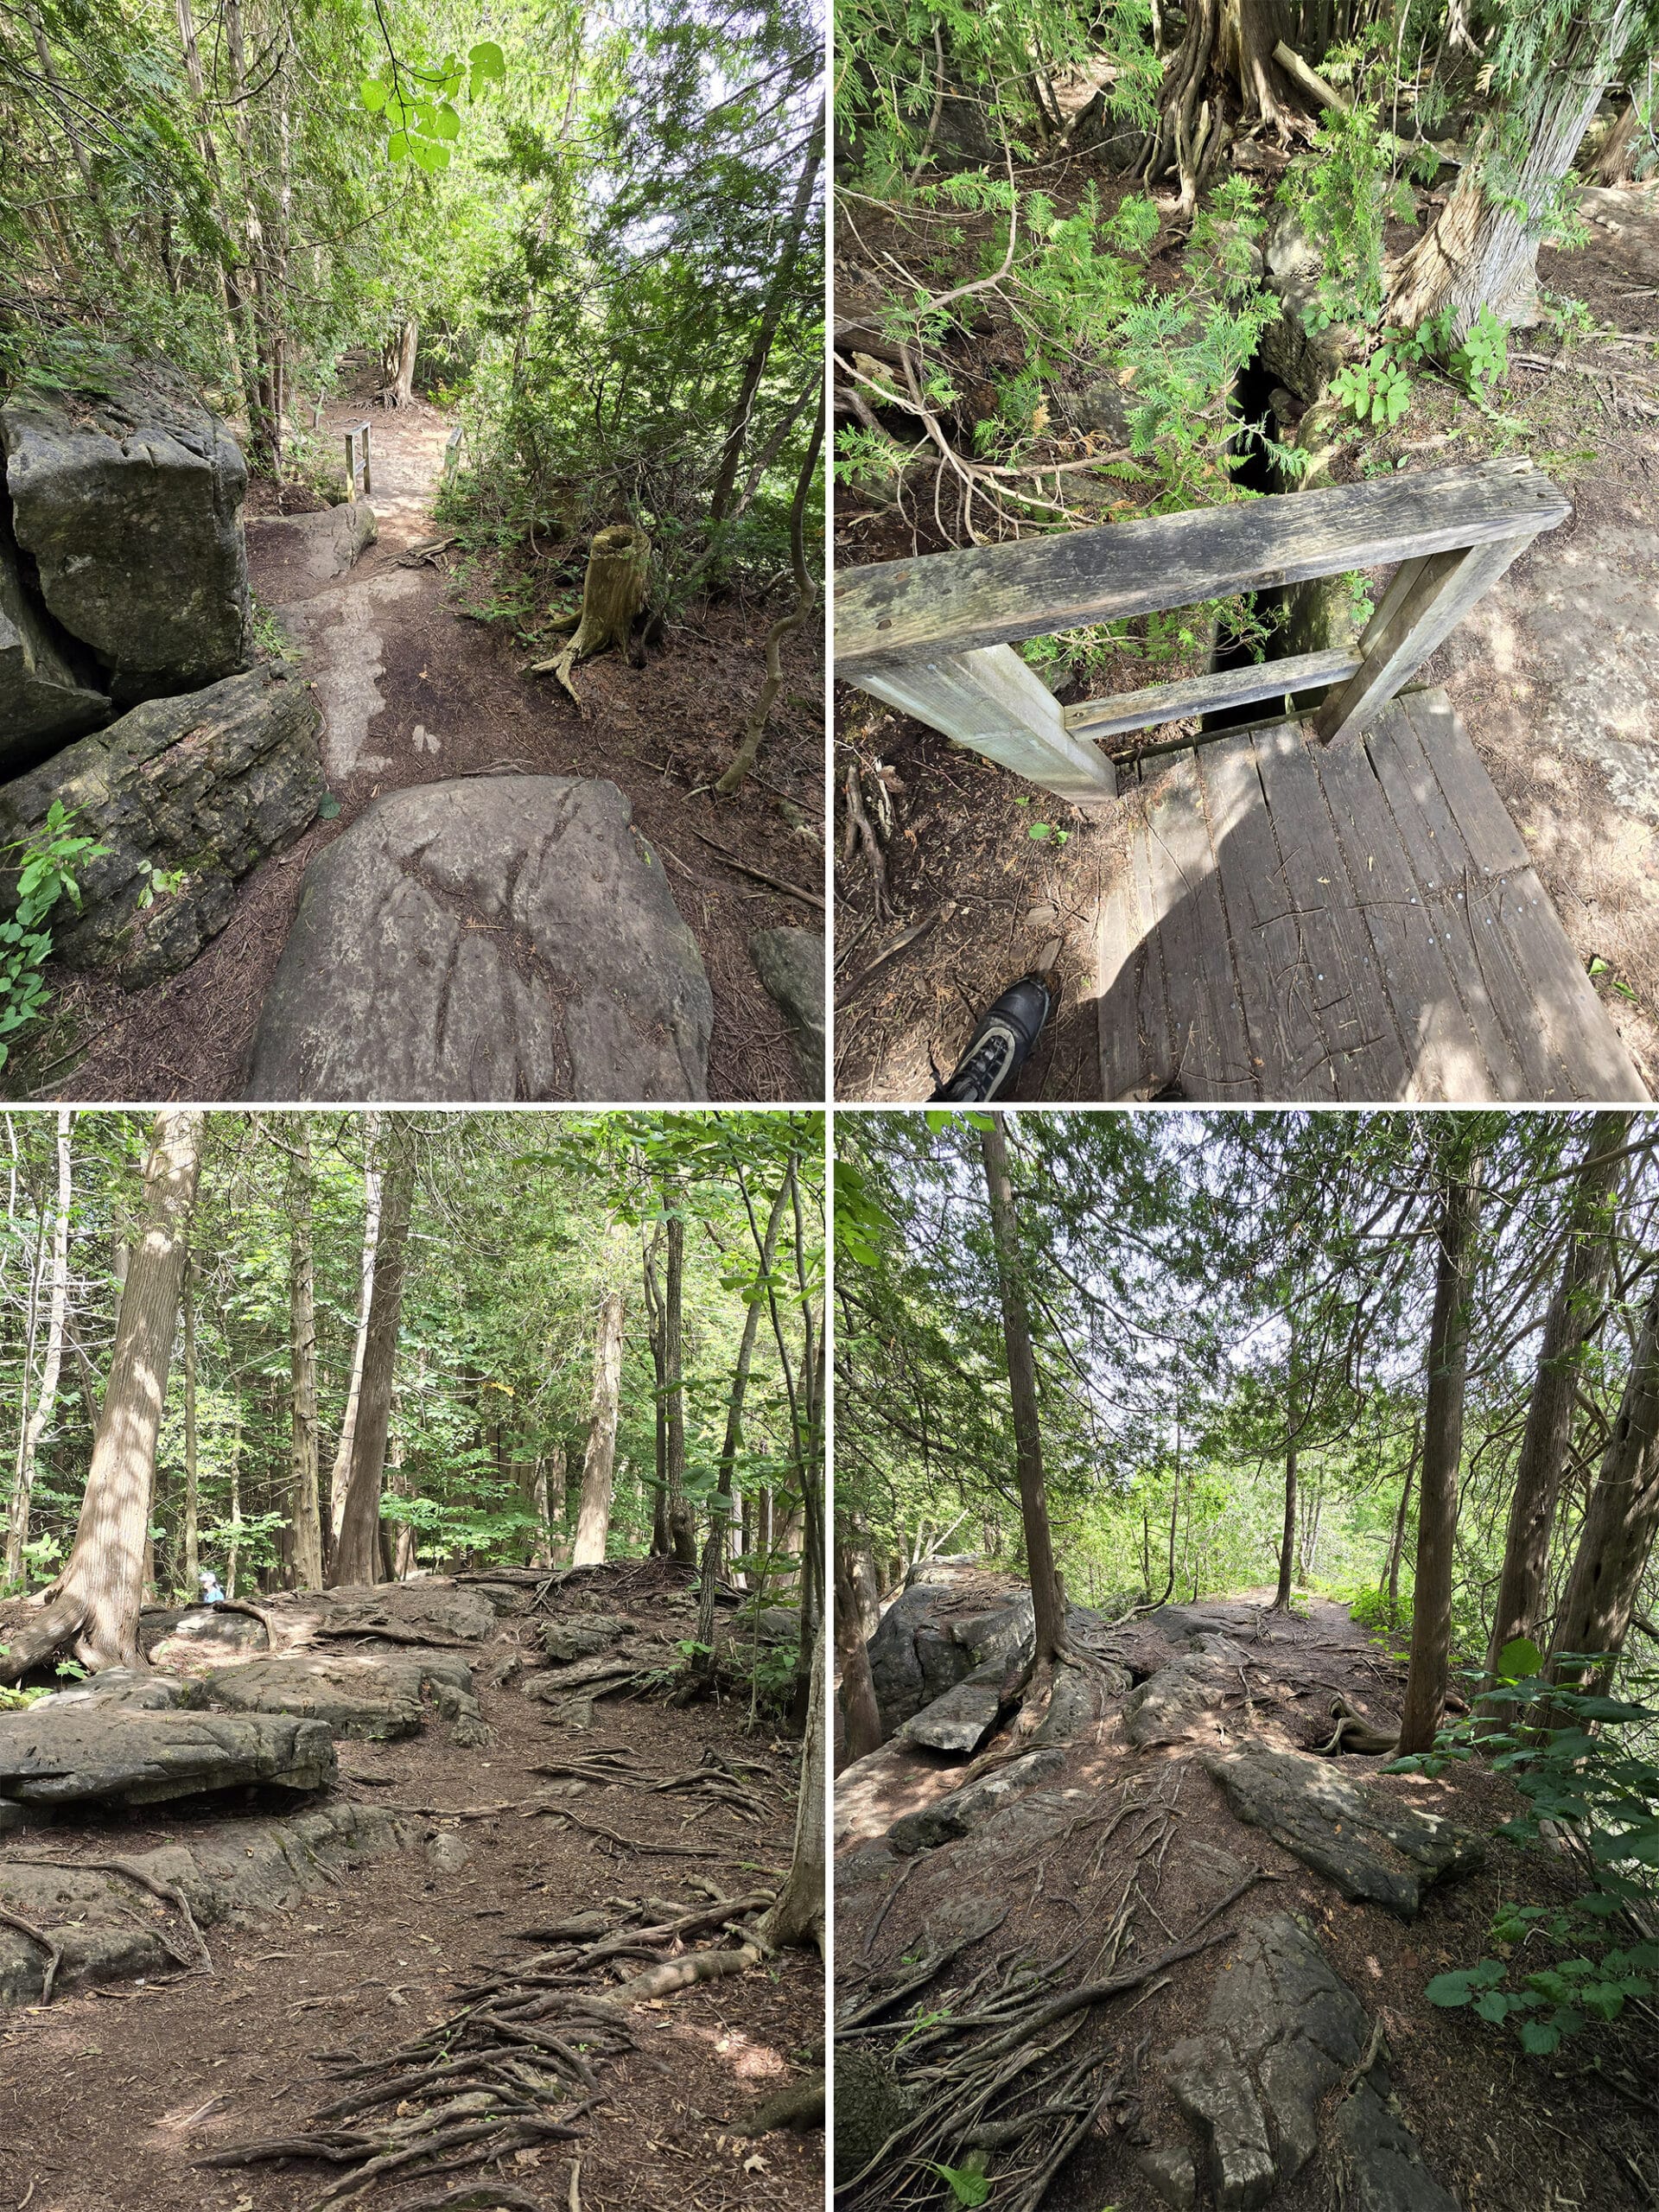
<point x="1342" y="924"/>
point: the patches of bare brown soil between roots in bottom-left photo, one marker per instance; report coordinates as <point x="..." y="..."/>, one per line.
<point x="107" y="2098"/>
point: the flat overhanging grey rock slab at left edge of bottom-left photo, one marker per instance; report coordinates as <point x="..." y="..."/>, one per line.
<point x="109" y="1753"/>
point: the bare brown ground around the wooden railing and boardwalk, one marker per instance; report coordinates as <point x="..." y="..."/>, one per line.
<point x="1556" y="676"/>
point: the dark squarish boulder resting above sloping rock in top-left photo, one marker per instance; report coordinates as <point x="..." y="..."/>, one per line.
<point x="132" y="508"/>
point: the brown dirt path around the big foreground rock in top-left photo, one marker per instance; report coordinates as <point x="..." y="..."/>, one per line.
<point x="415" y="691"/>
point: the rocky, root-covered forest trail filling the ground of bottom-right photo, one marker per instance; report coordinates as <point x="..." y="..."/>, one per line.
<point x="1269" y="1921"/>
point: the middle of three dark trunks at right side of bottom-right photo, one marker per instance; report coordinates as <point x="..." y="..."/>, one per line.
<point x="1569" y="1324"/>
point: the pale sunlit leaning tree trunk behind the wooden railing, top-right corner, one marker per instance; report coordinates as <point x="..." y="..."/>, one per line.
<point x="1483" y="253"/>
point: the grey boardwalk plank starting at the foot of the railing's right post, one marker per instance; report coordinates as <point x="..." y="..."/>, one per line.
<point x="1448" y="1056"/>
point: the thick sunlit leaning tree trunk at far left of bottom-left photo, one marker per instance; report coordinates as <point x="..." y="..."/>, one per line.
<point x="94" y="1605"/>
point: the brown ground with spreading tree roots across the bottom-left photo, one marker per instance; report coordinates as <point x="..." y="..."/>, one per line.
<point x="466" y="1992"/>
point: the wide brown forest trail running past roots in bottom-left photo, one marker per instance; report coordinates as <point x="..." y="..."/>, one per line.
<point x="114" y="2094"/>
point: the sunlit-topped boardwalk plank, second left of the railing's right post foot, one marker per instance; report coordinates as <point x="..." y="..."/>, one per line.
<point x="1273" y="961"/>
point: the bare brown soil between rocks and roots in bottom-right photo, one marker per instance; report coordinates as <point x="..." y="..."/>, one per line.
<point x="1501" y="2131"/>
